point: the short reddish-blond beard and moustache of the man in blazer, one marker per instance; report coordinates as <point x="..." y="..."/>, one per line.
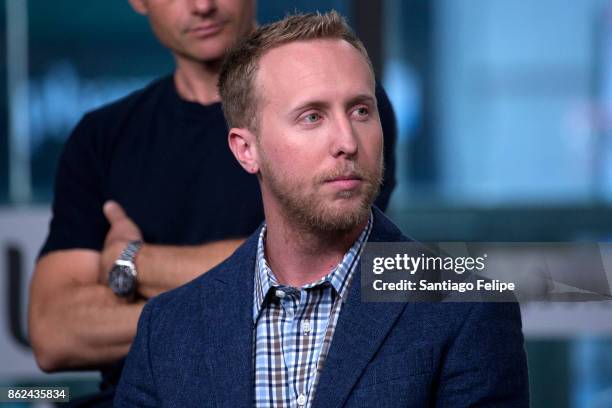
<point x="309" y="213"/>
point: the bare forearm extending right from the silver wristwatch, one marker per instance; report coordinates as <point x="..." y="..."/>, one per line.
<point x="162" y="267"/>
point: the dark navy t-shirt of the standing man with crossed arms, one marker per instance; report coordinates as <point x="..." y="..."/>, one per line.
<point x="167" y="162"/>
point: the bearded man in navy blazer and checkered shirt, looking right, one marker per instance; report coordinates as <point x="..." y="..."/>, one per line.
<point x="281" y="322"/>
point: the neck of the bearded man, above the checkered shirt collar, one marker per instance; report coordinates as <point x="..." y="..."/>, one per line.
<point x="298" y="256"/>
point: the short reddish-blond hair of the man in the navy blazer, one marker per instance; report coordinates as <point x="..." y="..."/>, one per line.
<point x="236" y="80"/>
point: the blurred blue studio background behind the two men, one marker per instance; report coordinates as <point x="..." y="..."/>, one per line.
<point x="504" y="110"/>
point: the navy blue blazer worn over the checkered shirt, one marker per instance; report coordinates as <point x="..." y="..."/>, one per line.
<point x="194" y="347"/>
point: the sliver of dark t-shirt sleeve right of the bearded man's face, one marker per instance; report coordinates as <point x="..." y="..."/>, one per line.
<point x="389" y="126"/>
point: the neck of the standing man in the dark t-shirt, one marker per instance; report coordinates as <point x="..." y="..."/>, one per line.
<point x="196" y="81"/>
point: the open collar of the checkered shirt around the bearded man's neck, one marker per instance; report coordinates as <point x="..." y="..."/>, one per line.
<point x="339" y="277"/>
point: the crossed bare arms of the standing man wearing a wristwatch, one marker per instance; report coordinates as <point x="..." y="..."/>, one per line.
<point x="76" y="322"/>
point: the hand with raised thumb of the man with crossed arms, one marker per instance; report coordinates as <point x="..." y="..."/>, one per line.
<point x="122" y="231"/>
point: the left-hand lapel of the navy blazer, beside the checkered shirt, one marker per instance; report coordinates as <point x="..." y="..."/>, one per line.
<point x="228" y="319"/>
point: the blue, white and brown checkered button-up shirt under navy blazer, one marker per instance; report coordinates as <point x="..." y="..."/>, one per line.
<point x="294" y="328"/>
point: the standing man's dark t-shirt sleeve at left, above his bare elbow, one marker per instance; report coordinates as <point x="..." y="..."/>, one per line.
<point x="77" y="220"/>
